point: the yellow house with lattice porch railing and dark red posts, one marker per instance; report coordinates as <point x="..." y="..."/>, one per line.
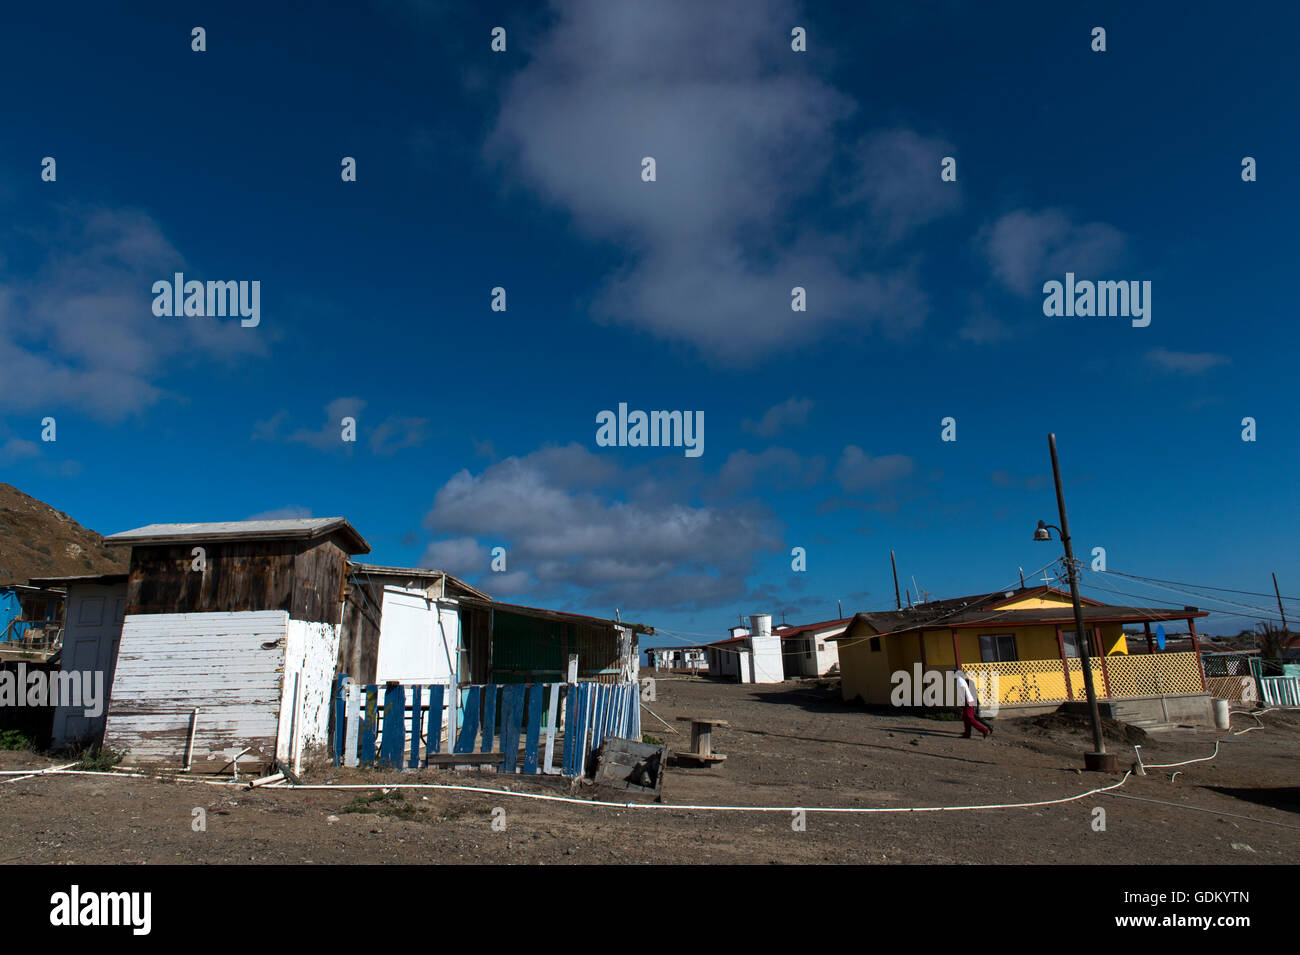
<point x="1024" y="644"/>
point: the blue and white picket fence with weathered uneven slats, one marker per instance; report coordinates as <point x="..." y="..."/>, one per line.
<point x="528" y="724"/>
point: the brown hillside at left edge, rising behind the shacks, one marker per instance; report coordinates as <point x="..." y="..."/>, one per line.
<point x="37" y="541"/>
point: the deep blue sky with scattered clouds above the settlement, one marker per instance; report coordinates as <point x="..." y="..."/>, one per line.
<point x="775" y="170"/>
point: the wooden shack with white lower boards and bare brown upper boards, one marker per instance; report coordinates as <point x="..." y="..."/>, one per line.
<point x="229" y="643"/>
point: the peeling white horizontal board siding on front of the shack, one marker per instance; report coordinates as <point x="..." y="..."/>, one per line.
<point x="229" y="666"/>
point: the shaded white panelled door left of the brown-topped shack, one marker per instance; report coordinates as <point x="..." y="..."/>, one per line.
<point x="93" y="630"/>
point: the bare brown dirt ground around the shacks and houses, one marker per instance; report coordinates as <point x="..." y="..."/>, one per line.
<point x="792" y="745"/>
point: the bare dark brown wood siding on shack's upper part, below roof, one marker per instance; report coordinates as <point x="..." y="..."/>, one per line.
<point x="302" y="579"/>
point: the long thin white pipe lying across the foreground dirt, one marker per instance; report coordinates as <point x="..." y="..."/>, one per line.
<point x="622" y="806"/>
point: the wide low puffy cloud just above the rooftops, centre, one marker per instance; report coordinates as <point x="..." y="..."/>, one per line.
<point x="570" y="527"/>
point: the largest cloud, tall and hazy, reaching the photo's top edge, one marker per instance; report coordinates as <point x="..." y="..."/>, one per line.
<point x="740" y="133"/>
